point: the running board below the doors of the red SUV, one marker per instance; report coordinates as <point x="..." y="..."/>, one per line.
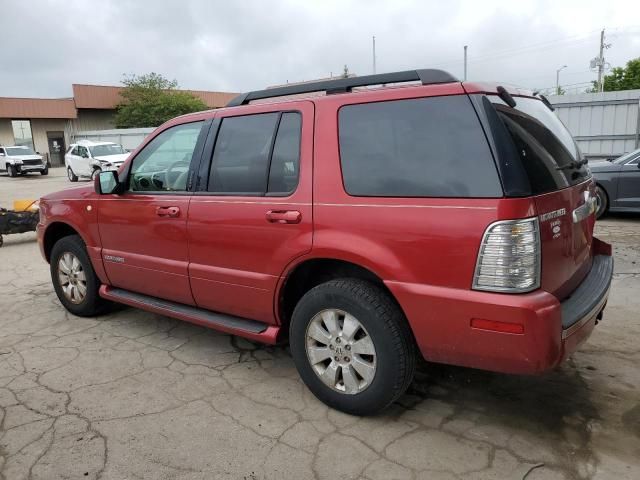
<point x="242" y="327"/>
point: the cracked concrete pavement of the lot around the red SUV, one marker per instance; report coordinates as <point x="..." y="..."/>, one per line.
<point x="135" y="395"/>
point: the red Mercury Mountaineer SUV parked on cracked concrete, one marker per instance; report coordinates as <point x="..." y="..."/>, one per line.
<point x="452" y="218"/>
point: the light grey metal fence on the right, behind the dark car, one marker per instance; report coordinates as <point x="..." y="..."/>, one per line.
<point x="605" y="125"/>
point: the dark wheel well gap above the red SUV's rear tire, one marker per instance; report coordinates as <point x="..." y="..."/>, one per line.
<point x="314" y="272"/>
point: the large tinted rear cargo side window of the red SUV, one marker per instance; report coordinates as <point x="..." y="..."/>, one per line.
<point x="427" y="147"/>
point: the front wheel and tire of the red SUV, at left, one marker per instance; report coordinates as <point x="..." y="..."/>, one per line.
<point x="74" y="279"/>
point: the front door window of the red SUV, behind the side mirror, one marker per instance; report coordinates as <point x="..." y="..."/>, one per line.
<point x="163" y="164"/>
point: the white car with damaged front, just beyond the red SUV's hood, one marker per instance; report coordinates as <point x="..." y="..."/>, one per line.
<point x="87" y="159"/>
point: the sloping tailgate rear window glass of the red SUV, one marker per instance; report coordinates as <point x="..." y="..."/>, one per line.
<point x="549" y="155"/>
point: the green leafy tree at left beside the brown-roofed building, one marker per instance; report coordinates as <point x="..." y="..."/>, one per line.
<point x="150" y="100"/>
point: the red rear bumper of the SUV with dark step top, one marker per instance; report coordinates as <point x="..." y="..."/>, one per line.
<point x="441" y="321"/>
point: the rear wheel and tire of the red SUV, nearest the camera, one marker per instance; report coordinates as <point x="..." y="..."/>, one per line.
<point x="352" y="346"/>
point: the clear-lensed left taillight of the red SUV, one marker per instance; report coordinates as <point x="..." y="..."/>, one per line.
<point x="509" y="257"/>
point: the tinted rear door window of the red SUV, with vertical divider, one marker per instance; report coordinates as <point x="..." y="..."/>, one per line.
<point x="257" y="155"/>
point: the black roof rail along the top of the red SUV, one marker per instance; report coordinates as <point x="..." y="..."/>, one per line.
<point x="343" y="85"/>
